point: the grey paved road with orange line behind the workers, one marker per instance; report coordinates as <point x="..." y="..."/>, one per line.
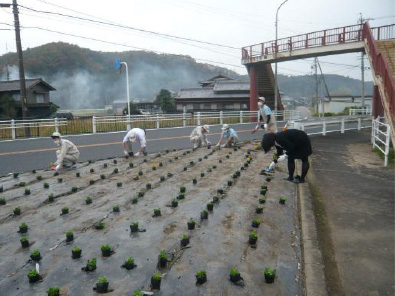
<point x="27" y="154"/>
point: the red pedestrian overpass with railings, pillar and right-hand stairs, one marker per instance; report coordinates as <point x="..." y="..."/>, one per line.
<point x="378" y="43"/>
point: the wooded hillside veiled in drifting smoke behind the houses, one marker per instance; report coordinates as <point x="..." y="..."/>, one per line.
<point x="87" y="79"/>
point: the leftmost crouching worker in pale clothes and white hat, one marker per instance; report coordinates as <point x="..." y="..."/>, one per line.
<point x="67" y="155"/>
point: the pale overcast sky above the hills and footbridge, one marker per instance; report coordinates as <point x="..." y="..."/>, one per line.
<point x="231" y="24"/>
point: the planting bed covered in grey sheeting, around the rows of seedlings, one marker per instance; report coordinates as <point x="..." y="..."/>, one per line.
<point x="216" y="245"/>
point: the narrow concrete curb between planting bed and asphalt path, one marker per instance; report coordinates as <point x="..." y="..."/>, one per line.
<point x="313" y="265"/>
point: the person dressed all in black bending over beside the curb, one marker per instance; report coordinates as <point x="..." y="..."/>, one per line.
<point x="297" y="145"/>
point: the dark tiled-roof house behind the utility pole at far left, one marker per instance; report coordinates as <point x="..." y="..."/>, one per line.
<point x="37" y="97"/>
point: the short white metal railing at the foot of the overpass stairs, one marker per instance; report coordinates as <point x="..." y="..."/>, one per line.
<point x="381" y="137"/>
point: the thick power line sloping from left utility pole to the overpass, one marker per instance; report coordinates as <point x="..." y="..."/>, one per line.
<point x="129" y="28"/>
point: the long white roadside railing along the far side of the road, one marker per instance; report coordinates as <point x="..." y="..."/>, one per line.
<point x="38" y="128"/>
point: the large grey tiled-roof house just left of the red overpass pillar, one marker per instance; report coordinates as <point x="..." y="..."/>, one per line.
<point x="217" y="93"/>
